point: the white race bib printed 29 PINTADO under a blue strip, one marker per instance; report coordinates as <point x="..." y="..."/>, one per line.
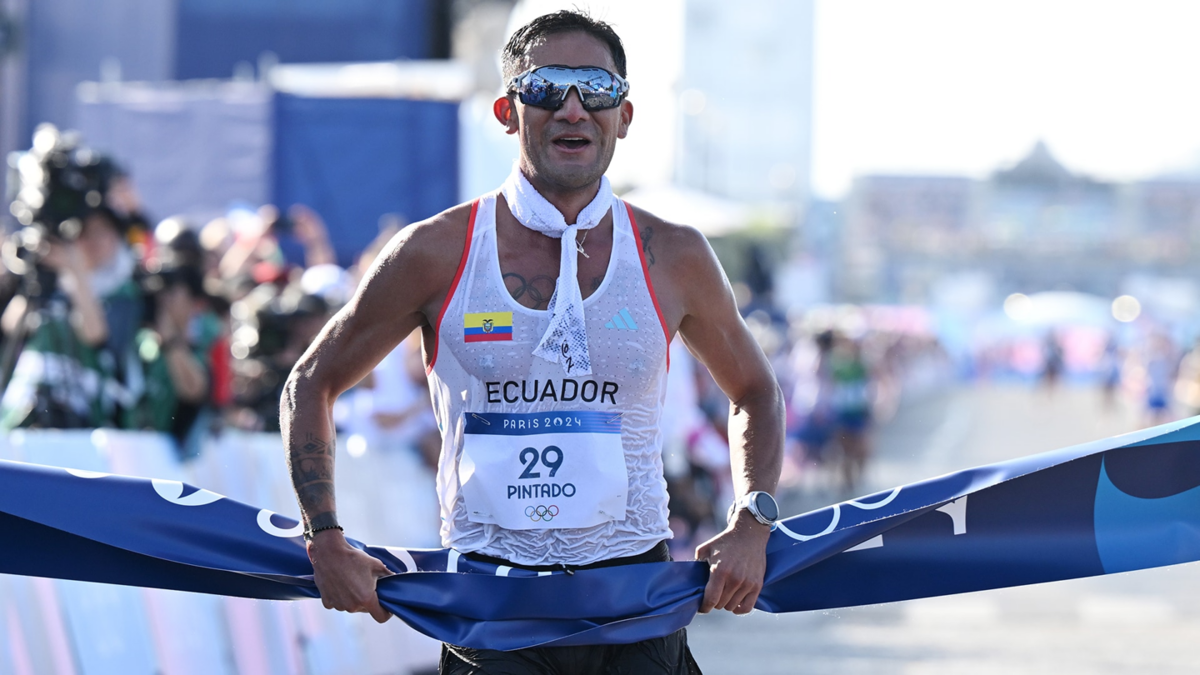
<point x="539" y="471"/>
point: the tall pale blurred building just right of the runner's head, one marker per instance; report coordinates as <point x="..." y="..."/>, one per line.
<point x="747" y="100"/>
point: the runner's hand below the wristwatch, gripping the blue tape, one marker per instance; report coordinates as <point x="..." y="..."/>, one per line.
<point x="737" y="564"/>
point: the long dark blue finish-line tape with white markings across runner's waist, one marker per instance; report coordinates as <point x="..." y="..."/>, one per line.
<point x="1124" y="504"/>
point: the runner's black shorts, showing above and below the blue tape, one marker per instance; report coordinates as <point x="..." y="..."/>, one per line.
<point x="659" y="656"/>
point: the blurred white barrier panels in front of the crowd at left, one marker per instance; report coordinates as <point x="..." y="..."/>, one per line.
<point x="386" y="497"/>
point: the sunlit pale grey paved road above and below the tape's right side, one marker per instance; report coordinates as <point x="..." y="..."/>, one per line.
<point x="1129" y="624"/>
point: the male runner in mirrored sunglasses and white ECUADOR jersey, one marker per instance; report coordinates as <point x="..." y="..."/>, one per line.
<point x="547" y="309"/>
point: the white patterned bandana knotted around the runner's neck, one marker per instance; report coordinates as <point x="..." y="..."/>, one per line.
<point x="566" y="341"/>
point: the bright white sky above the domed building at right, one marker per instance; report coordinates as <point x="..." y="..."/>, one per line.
<point x="950" y="87"/>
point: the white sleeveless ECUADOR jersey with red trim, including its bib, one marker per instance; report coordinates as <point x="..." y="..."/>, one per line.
<point x="539" y="468"/>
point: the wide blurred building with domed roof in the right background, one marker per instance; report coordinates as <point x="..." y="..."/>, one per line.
<point x="1035" y="226"/>
